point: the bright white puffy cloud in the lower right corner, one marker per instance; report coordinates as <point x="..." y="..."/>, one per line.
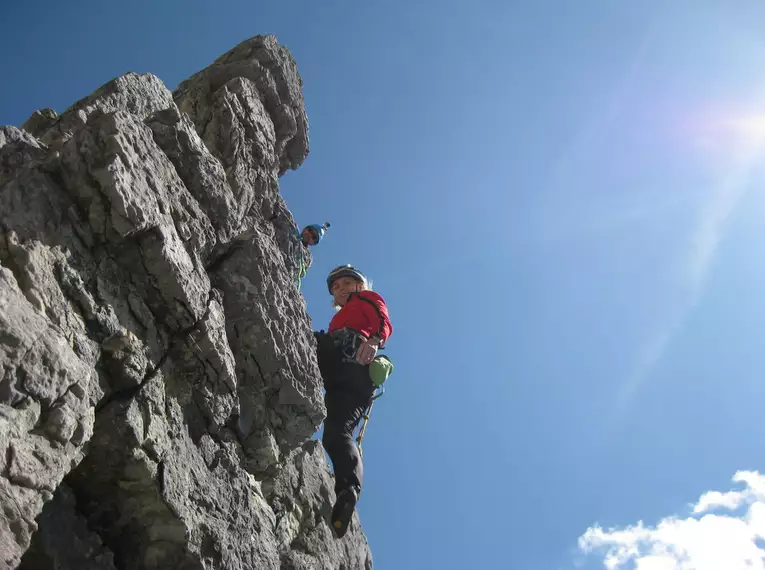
<point x="702" y="541"/>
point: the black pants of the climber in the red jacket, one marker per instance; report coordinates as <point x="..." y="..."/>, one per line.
<point x="349" y="391"/>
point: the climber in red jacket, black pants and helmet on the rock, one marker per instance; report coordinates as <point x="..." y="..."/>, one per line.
<point x="359" y="328"/>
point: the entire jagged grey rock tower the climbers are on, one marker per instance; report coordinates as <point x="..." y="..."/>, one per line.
<point x="159" y="385"/>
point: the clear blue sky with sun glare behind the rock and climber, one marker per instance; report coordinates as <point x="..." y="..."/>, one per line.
<point x="562" y="203"/>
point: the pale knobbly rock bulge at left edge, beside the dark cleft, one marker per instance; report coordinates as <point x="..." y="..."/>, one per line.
<point x="45" y="415"/>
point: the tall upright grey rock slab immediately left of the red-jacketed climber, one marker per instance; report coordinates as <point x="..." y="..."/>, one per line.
<point x="279" y="384"/>
